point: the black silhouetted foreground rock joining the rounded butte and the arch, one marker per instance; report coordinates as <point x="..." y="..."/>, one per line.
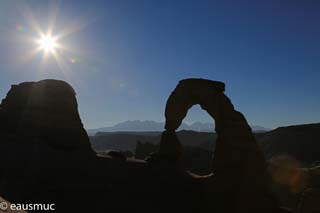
<point x="46" y="157"/>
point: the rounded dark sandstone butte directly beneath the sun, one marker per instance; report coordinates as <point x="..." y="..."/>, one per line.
<point x="46" y="111"/>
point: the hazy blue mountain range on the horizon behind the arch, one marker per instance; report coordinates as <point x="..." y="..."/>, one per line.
<point x="153" y="126"/>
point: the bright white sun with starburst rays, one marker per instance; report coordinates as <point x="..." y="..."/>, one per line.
<point x="50" y="40"/>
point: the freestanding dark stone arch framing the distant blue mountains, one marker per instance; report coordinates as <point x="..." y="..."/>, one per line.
<point x="234" y="133"/>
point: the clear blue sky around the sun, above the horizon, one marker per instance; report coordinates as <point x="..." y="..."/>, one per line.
<point x="124" y="57"/>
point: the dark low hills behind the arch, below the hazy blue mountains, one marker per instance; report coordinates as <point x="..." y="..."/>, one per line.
<point x="300" y="142"/>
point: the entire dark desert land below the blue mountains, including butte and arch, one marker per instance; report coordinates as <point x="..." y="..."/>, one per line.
<point x="50" y="159"/>
